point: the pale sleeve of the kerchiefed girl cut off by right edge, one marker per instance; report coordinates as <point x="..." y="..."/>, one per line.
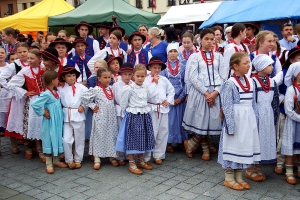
<point x="289" y="104"/>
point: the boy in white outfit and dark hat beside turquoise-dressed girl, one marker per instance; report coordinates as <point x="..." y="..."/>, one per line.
<point x="74" y="116"/>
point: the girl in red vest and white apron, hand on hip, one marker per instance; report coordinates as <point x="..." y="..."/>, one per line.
<point x="31" y="77"/>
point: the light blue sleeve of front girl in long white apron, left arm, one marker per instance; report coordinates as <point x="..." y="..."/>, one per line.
<point x="227" y="97"/>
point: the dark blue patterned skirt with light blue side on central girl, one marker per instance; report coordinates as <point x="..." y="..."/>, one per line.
<point x="136" y="134"/>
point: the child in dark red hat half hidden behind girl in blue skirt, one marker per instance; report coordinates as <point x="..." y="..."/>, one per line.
<point x="126" y="73"/>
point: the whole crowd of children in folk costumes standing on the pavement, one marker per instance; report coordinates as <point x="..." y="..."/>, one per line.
<point x="138" y="104"/>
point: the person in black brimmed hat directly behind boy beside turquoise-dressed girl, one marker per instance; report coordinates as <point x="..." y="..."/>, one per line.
<point x="62" y="47"/>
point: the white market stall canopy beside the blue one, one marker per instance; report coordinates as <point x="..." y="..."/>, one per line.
<point x="189" y="13"/>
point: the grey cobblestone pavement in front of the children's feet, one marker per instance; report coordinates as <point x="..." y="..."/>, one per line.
<point x="179" y="177"/>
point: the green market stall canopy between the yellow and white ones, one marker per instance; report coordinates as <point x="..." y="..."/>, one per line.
<point x="95" y="11"/>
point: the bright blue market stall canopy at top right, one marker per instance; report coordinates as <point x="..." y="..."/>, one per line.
<point x="250" y="10"/>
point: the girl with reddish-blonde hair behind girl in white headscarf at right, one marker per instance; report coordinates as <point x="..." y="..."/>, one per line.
<point x="264" y="45"/>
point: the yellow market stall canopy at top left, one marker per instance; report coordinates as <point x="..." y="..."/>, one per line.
<point x="35" y="18"/>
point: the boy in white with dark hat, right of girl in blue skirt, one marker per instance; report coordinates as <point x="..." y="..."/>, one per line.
<point x="160" y="107"/>
